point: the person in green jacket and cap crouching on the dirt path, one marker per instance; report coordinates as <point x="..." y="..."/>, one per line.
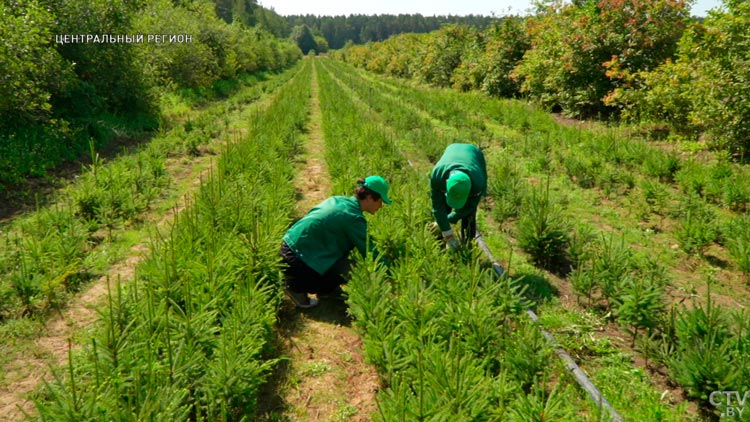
<point x="316" y="247"/>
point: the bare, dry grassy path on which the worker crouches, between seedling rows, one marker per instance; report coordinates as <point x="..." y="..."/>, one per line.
<point x="325" y="377"/>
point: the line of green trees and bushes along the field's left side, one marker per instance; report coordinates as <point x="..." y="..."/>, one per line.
<point x="77" y="72"/>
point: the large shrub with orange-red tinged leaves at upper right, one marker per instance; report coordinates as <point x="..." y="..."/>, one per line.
<point x="576" y="61"/>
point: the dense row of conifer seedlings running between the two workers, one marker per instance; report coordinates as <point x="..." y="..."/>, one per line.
<point x="449" y="338"/>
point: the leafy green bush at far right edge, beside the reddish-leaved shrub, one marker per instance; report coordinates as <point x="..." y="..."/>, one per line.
<point x="702" y="90"/>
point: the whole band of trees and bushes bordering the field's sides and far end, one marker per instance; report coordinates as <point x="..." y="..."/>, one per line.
<point x="647" y="62"/>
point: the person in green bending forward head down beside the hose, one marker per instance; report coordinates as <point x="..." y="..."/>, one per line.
<point x="457" y="184"/>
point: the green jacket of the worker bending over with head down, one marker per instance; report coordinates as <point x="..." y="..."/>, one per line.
<point x="469" y="159"/>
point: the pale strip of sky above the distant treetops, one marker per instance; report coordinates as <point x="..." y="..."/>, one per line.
<point x="423" y="7"/>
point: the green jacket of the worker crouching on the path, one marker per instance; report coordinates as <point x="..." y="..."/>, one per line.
<point x="328" y="233"/>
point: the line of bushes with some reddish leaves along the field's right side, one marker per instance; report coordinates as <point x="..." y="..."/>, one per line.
<point x="647" y="62"/>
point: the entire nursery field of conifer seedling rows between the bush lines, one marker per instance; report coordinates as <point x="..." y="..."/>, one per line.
<point x="635" y="255"/>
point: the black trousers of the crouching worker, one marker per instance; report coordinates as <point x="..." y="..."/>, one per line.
<point x="303" y="279"/>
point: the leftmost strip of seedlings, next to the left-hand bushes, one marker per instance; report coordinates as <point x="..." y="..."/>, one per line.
<point x="48" y="255"/>
